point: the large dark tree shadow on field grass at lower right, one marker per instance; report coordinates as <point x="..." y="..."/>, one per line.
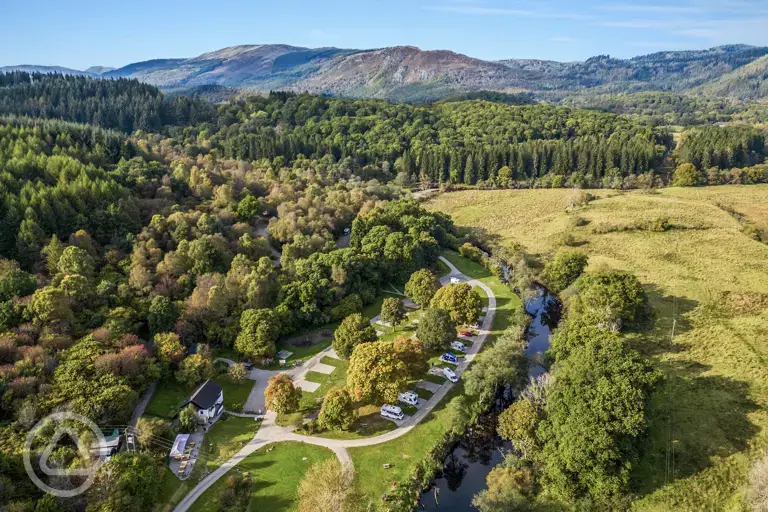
<point x="692" y="418"/>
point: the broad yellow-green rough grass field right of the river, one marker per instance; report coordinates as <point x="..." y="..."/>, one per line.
<point x="707" y="421"/>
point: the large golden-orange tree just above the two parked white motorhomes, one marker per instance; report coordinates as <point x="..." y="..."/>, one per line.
<point x="376" y="374"/>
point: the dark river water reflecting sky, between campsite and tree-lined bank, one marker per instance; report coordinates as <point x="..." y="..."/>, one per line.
<point x="480" y="448"/>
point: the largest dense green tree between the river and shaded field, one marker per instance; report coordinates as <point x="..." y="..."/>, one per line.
<point x="590" y="438"/>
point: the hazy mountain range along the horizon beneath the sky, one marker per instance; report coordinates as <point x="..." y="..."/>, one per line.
<point x="407" y="73"/>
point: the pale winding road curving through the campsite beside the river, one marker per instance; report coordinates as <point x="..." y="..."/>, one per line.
<point x="270" y="432"/>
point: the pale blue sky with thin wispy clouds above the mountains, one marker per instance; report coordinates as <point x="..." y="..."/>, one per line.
<point x="82" y="33"/>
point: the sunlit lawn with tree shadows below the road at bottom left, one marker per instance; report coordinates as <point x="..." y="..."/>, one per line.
<point x="276" y="471"/>
